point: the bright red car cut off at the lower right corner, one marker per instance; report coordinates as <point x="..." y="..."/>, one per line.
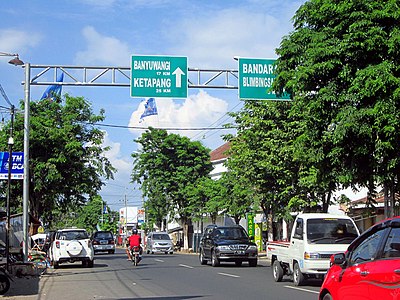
<point x="370" y="269"/>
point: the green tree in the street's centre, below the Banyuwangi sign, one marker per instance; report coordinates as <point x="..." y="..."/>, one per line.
<point x="169" y="165"/>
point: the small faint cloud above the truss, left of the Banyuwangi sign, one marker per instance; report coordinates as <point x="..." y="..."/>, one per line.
<point x="101" y="49"/>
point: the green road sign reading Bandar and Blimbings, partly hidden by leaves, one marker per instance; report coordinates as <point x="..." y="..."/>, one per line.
<point x="255" y="79"/>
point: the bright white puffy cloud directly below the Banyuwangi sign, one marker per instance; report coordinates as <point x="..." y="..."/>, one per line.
<point x="196" y="111"/>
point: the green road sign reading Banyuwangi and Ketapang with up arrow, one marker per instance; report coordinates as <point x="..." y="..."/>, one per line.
<point x="159" y="76"/>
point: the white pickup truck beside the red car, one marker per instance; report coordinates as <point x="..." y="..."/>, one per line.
<point x="314" y="238"/>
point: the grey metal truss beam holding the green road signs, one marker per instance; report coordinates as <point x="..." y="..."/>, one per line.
<point x="120" y="76"/>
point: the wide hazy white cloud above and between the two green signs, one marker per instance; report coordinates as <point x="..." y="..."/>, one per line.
<point x="213" y="39"/>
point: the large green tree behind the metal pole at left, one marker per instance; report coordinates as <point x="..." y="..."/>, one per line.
<point x="67" y="161"/>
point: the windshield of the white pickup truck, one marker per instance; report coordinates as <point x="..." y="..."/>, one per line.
<point x="330" y="231"/>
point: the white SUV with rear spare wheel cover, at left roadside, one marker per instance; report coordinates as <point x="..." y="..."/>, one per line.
<point x="71" y="245"/>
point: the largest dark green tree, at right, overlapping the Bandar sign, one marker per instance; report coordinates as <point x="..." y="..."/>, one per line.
<point x="342" y="66"/>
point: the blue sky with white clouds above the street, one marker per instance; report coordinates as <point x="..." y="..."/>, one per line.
<point x="108" y="32"/>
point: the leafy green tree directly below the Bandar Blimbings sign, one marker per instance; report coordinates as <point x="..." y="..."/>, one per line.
<point x="261" y="156"/>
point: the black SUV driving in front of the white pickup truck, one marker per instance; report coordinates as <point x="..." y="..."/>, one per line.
<point x="227" y="243"/>
